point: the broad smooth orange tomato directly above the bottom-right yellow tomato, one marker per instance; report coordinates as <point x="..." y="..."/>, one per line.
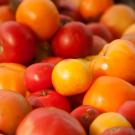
<point x="109" y="93"/>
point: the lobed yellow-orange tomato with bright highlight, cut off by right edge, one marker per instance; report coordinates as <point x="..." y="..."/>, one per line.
<point x="115" y="59"/>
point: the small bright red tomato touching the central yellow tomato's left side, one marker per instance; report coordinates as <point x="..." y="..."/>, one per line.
<point x="38" y="76"/>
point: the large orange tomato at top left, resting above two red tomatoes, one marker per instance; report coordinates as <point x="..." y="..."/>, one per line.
<point x="40" y="15"/>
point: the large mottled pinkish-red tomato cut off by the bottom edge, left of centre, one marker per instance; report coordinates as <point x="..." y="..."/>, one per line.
<point x="49" y="121"/>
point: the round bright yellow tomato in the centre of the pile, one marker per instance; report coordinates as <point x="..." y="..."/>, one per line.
<point x="71" y="77"/>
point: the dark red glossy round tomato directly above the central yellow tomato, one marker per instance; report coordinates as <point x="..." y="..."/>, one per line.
<point x="72" y="41"/>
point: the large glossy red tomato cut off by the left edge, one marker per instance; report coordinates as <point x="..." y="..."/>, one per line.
<point x="17" y="43"/>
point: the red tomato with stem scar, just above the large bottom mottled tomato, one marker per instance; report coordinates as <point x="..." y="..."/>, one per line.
<point x="46" y="98"/>
